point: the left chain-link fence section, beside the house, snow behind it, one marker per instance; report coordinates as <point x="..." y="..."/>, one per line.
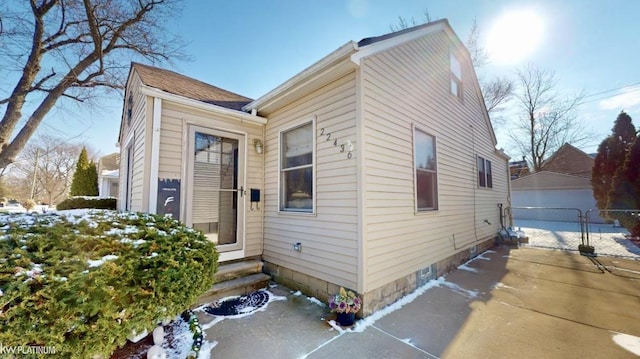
<point x="556" y="228"/>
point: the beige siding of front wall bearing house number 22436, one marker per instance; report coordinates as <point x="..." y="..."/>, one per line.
<point x="329" y="236"/>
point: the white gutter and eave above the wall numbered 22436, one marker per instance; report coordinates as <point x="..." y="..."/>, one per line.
<point x="342" y="52"/>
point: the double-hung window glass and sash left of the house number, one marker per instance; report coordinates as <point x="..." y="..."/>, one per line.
<point x="296" y="169"/>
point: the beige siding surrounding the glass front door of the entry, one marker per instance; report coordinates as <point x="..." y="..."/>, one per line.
<point x="173" y="137"/>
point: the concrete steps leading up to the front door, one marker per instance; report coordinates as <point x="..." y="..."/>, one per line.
<point x="234" y="279"/>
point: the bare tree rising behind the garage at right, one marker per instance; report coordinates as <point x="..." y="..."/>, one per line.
<point x="547" y="120"/>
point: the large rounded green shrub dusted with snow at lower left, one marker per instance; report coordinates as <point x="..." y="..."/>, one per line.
<point x="82" y="283"/>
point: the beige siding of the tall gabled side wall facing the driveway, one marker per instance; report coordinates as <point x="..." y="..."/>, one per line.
<point x="408" y="86"/>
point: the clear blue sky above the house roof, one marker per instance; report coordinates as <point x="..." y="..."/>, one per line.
<point x="250" y="47"/>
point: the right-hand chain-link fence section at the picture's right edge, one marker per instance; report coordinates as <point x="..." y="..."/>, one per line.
<point x="609" y="232"/>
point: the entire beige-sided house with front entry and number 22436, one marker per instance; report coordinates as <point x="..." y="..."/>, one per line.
<point x="374" y="169"/>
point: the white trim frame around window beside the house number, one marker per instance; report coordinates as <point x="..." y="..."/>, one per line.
<point x="314" y="203"/>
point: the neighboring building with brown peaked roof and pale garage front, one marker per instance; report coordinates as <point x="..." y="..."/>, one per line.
<point x="565" y="182"/>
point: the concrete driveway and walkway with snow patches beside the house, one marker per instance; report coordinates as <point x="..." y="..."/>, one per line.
<point x="513" y="302"/>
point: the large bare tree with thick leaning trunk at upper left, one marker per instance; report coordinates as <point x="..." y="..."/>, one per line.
<point x="64" y="49"/>
